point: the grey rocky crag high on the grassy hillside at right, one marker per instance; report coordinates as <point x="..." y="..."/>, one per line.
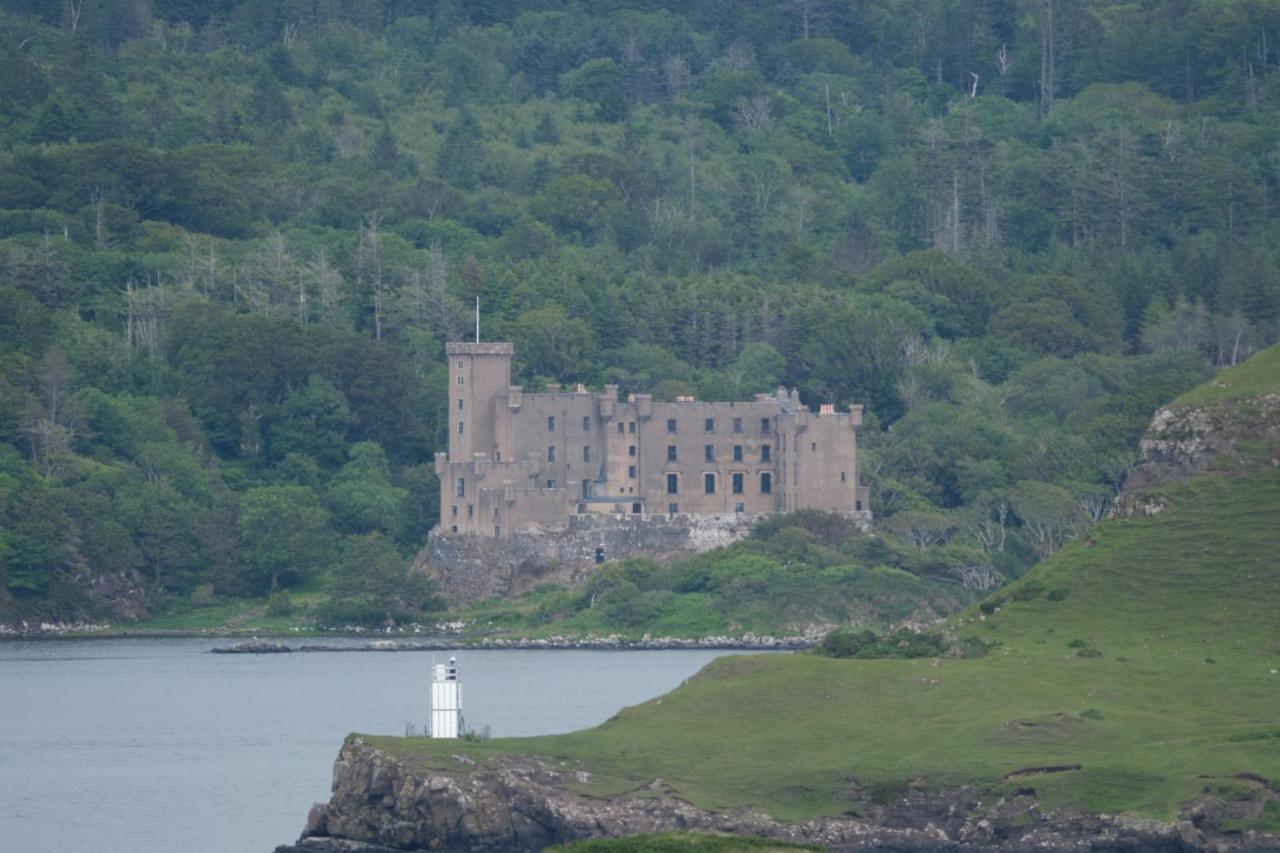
<point x="1186" y="441"/>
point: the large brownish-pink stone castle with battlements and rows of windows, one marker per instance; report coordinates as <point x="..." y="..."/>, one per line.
<point x="520" y="463"/>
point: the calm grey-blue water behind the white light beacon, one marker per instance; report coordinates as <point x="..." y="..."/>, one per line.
<point x="140" y="746"/>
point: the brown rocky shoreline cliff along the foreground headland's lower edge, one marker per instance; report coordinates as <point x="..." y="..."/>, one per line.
<point x="382" y="804"/>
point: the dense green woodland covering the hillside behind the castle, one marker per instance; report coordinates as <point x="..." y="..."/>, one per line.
<point x="235" y="236"/>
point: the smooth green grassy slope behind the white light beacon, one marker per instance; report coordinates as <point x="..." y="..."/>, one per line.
<point x="1183" y="609"/>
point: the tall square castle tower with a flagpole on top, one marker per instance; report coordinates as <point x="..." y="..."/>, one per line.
<point x="478" y="375"/>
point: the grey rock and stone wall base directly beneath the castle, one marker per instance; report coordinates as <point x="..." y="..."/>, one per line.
<point x="470" y="568"/>
